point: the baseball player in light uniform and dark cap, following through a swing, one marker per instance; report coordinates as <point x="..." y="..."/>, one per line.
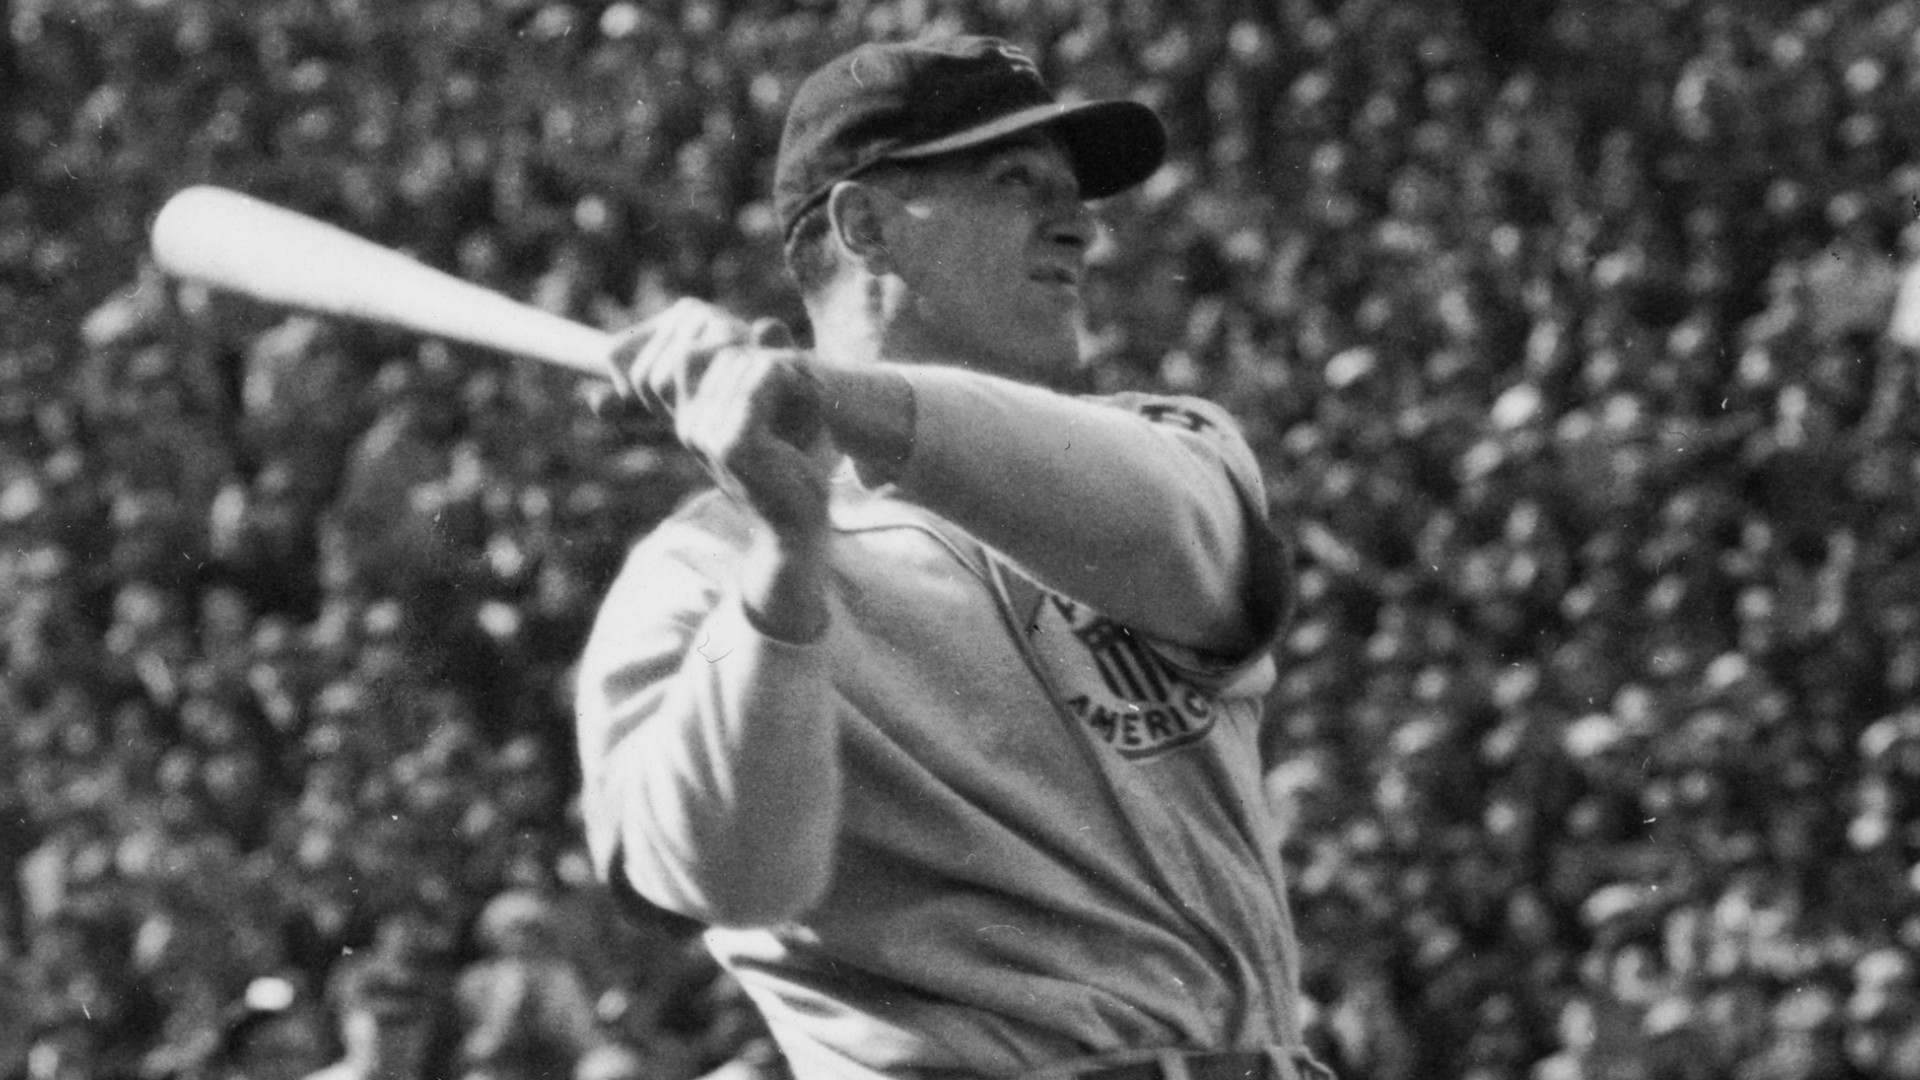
<point x="942" y="710"/>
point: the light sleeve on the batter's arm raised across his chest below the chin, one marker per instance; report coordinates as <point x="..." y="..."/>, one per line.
<point x="1149" y="508"/>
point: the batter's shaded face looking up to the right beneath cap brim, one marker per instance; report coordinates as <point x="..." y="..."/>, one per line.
<point x="992" y="249"/>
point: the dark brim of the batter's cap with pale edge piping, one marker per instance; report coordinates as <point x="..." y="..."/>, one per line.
<point x="1113" y="145"/>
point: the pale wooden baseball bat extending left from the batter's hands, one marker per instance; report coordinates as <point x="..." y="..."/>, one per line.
<point x="245" y="245"/>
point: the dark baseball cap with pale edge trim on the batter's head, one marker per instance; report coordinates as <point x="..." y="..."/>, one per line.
<point x="913" y="101"/>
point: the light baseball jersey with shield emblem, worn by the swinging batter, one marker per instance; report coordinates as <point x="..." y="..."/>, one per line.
<point x="980" y="825"/>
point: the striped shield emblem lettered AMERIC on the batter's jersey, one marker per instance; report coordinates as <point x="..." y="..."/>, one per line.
<point x="1115" y="685"/>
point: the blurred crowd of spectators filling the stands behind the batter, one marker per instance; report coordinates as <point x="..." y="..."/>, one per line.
<point x="1560" y="330"/>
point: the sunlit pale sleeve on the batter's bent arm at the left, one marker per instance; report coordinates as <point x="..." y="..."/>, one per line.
<point x="709" y="756"/>
